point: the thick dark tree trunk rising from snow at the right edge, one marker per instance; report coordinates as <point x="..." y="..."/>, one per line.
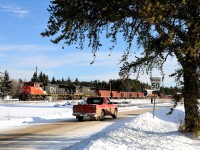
<point x="190" y="93"/>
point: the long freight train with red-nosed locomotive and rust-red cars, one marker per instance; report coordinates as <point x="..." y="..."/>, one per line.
<point x="36" y="91"/>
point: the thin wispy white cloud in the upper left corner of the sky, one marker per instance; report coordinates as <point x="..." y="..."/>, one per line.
<point x="14" y="9"/>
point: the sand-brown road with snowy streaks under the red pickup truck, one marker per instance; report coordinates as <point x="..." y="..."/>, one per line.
<point x="63" y="135"/>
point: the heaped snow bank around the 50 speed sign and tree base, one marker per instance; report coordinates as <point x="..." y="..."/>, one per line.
<point x="148" y="132"/>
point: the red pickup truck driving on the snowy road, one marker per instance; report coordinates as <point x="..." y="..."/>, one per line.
<point x="96" y="108"/>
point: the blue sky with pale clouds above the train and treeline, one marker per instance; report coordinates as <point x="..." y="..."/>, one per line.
<point x="22" y="48"/>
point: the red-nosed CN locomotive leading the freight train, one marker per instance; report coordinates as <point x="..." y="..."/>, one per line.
<point x="35" y="91"/>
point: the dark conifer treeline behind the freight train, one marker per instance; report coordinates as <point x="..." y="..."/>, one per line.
<point x="114" y="84"/>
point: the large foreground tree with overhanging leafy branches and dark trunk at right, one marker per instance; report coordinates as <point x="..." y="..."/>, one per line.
<point x="162" y="28"/>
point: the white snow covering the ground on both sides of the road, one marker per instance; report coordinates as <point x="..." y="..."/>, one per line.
<point x="143" y="132"/>
